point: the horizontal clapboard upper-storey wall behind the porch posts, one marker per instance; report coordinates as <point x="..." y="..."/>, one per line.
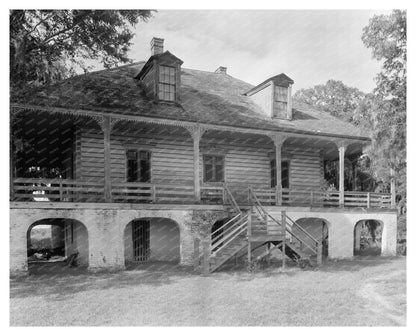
<point x="246" y="164"/>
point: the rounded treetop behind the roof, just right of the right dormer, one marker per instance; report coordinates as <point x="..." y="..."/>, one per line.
<point x="333" y="97"/>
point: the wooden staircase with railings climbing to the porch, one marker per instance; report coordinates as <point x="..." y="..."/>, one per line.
<point x="255" y="226"/>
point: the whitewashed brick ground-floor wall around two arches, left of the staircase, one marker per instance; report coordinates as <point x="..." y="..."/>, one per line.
<point x="99" y="237"/>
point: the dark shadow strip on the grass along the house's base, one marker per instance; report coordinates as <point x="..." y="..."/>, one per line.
<point x="61" y="282"/>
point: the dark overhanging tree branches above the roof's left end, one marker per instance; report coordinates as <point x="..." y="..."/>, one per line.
<point x="48" y="45"/>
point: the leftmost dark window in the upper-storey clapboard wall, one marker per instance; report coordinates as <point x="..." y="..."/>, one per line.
<point x="138" y="165"/>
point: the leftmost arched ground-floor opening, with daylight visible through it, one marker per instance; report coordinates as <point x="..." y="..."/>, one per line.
<point x="57" y="244"/>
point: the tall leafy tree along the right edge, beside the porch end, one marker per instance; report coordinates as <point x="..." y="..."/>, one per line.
<point x="386" y="108"/>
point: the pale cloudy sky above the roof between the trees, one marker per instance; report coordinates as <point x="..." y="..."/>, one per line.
<point x="311" y="47"/>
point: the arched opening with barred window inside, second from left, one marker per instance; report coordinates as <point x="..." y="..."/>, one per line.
<point x="151" y="239"/>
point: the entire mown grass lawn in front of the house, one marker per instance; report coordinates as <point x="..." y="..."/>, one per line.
<point x="365" y="291"/>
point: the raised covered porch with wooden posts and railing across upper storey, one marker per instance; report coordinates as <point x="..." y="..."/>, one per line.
<point x="277" y="166"/>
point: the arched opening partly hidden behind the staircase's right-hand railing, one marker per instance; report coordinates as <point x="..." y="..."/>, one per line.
<point x="317" y="228"/>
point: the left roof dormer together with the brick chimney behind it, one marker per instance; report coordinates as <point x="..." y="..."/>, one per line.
<point x="161" y="74"/>
